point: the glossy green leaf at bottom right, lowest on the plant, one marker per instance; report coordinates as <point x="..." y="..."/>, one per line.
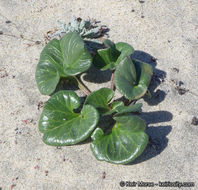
<point x="124" y="144"/>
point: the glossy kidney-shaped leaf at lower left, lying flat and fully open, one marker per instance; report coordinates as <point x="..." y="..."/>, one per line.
<point x="61" y="125"/>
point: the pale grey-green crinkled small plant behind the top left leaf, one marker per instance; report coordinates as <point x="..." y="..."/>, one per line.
<point x="85" y="28"/>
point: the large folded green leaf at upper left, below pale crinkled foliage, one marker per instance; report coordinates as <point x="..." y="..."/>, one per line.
<point x="61" y="58"/>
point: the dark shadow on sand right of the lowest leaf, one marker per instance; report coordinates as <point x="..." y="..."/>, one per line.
<point x="157" y="135"/>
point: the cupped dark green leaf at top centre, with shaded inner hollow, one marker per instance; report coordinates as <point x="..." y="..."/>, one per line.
<point x="110" y="57"/>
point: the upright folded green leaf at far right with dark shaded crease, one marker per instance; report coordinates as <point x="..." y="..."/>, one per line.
<point x="132" y="78"/>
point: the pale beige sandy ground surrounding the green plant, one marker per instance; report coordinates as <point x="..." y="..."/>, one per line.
<point x="168" y="31"/>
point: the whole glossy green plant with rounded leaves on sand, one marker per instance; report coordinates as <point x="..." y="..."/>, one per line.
<point x="117" y="133"/>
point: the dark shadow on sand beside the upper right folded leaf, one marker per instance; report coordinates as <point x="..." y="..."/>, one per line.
<point x="158" y="77"/>
